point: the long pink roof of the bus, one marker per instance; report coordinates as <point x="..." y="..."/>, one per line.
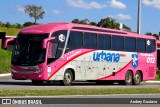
<point x="51" y="27"/>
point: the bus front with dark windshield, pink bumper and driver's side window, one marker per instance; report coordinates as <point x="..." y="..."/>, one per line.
<point x="30" y="60"/>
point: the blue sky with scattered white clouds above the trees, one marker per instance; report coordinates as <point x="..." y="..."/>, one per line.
<point x="124" y="11"/>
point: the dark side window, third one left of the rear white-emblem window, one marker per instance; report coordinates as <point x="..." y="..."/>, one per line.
<point x="117" y="43"/>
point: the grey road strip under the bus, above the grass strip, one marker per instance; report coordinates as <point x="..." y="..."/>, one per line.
<point x="8" y="83"/>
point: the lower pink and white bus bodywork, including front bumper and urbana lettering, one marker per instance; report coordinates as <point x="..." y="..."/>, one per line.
<point x="87" y="67"/>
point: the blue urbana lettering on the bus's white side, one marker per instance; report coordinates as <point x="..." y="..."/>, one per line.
<point x="109" y="57"/>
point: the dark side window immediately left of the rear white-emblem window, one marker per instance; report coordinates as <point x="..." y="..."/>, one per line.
<point x="141" y="45"/>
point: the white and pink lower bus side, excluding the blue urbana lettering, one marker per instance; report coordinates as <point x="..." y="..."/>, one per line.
<point x="87" y="69"/>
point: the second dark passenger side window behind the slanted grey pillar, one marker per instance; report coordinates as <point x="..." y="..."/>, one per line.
<point x="90" y="40"/>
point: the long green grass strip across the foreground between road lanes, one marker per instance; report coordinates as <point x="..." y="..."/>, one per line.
<point x="78" y="92"/>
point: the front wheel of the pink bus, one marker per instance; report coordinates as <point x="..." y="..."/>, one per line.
<point x="68" y="78"/>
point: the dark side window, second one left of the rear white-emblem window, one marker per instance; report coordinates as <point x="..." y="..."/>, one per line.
<point x="130" y="44"/>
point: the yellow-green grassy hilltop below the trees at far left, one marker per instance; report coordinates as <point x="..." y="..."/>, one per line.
<point x="10" y="31"/>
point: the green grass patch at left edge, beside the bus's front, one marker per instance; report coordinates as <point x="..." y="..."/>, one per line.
<point x="5" y="61"/>
